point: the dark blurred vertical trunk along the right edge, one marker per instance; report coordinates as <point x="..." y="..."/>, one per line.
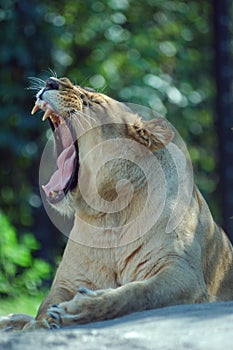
<point x="224" y="74"/>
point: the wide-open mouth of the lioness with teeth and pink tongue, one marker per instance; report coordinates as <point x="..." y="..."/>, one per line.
<point x="64" y="178"/>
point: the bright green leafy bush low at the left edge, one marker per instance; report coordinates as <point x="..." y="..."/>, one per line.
<point x="20" y="273"/>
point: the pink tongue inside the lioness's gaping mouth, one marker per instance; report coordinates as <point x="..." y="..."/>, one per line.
<point x="61" y="176"/>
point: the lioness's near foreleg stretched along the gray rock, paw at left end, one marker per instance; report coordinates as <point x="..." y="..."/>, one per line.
<point x="173" y="285"/>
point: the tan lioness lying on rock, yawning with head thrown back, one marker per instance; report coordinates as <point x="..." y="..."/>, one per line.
<point x="113" y="263"/>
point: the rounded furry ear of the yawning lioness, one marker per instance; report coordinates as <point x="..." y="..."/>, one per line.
<point x="153" y="134"/>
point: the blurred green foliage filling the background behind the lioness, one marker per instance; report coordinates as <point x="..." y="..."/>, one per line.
<point x="155" y="53"/>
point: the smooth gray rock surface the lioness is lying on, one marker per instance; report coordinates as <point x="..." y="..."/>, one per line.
<point x="194" y="327"/>
